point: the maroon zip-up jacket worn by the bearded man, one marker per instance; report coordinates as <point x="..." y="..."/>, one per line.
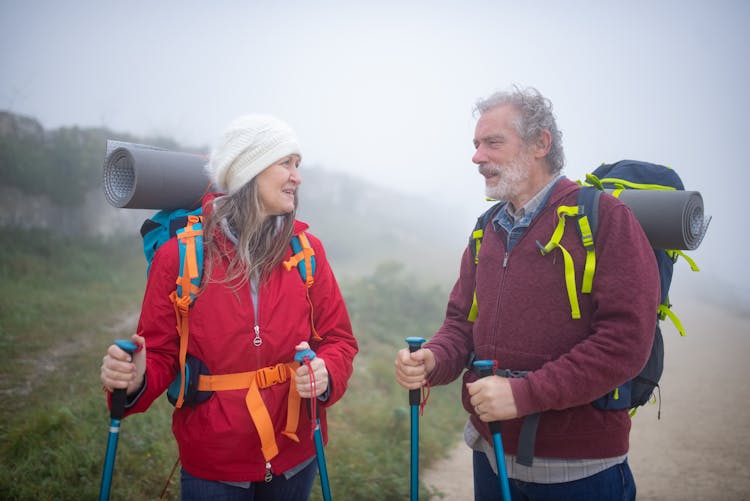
<point x="525" y="323"/>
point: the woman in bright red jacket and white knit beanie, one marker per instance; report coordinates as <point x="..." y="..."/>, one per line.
<point x="245" y="436"/>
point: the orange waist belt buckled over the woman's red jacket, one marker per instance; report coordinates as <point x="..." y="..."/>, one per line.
<point x="254" y="381"/>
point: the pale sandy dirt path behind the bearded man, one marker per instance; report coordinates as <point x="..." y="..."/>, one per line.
<point x="700" y="448"/>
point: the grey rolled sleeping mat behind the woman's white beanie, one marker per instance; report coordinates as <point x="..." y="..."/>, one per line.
<point x="138" y="176"/>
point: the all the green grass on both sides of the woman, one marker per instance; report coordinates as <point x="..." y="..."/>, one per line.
<point x="60" y="300"/>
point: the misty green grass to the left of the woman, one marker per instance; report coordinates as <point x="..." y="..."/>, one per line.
<point x="59" y="298"/>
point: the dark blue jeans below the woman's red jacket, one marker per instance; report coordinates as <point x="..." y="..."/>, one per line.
<point x="280" y="488"/>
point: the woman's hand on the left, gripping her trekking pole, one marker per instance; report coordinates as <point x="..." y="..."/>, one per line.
<point x="121" y="370"/>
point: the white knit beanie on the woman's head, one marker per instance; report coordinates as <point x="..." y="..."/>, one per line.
<point x="249" y="144"/>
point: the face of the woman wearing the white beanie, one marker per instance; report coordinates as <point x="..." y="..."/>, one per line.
<point x="277" y="186"/>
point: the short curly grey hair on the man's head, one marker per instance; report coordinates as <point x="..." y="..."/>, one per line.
<point x="534" y="116"/>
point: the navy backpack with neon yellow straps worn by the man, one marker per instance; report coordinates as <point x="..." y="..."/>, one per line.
<point x="622" y="175"/>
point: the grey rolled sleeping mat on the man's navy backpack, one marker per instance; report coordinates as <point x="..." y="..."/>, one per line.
<point x="670" y="219"/>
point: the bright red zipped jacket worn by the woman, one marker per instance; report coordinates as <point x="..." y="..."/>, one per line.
<point x="217" y="438"/>
